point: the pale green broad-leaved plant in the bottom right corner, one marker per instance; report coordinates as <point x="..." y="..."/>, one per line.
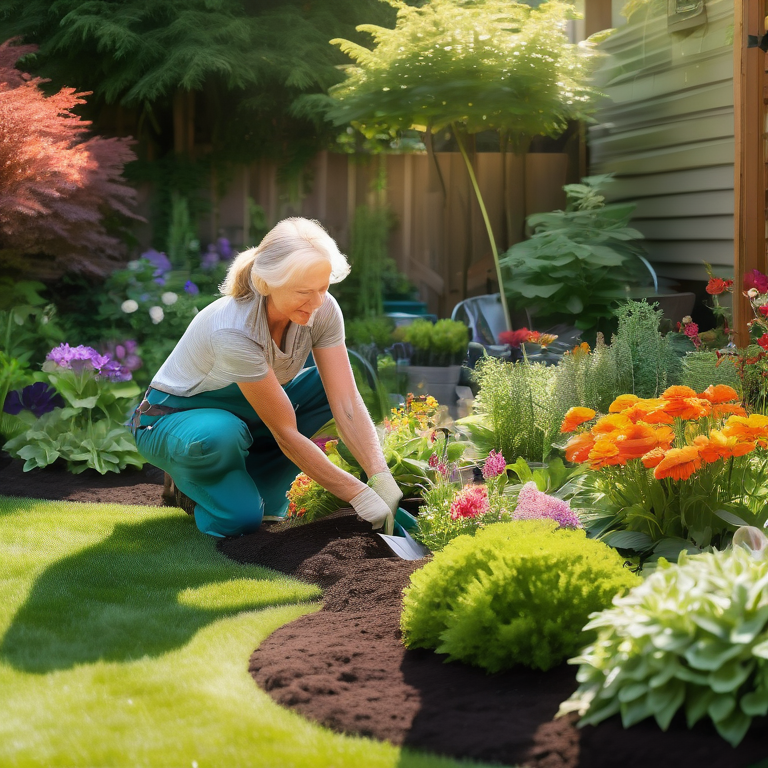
<point x="692" y="636"/>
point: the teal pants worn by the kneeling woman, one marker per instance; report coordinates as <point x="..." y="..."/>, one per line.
<point x="221" y="455"/>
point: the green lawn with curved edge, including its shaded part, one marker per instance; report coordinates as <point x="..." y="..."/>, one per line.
<point x="124" y="641"/>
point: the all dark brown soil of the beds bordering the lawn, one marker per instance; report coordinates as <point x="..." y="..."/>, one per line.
<point x="345" y="666"/>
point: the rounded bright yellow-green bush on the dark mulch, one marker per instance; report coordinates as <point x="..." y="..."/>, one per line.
<point x="515" y="593"/>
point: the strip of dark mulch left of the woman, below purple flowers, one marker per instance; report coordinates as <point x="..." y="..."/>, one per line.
<point x="134" y="486"/>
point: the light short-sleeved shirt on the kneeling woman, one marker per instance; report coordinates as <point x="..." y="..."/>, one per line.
<point x="229" y="341"/>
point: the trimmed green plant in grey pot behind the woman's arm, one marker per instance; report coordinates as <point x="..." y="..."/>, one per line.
<point x="437" y="352"/>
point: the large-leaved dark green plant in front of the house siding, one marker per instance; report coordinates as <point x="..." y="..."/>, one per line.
<point x="578" y="261"/>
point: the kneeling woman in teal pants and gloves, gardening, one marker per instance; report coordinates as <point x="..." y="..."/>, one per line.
<point x="230" y="413"/>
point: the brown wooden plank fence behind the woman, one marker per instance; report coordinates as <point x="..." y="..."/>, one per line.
<point x="439" y="239"/>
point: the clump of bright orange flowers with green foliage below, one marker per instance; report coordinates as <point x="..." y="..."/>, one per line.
<point x="676" y="472"/>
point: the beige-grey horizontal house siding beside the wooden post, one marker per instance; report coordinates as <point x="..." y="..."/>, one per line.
<point x="666" y="132"/>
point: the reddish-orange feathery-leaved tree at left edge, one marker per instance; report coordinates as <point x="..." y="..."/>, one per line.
<point x="56" y="184"/>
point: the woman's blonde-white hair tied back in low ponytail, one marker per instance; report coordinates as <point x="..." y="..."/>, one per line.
<point x="286" y="251"/>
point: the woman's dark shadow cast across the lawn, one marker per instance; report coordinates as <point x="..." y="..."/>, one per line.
<point x="119" y="600"/>
